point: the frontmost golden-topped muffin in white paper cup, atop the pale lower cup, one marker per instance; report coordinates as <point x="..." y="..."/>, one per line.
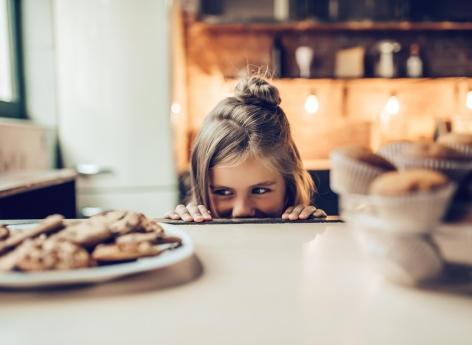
<point x="412" y="201"/>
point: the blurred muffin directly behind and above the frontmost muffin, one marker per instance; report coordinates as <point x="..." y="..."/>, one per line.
<point x="435" y="156"/>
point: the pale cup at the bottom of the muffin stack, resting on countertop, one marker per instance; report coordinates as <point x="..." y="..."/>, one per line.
<point x="406" y="260"/>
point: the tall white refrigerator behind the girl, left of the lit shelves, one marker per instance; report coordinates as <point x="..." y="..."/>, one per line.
<point x="113" y="60"/>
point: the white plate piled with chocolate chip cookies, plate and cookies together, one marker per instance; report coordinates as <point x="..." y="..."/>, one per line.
<point x="59" y="252"/>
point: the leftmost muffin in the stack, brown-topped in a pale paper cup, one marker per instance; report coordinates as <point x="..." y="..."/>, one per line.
<point x="353" y="168"/>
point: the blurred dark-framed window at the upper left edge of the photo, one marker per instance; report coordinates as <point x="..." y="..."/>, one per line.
<point x="11" y="83"/>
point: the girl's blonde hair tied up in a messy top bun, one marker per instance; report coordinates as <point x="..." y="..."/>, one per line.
<point x="250" y="123"/>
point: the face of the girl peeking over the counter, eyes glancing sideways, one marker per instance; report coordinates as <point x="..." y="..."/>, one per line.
<point x="245" y="190"/>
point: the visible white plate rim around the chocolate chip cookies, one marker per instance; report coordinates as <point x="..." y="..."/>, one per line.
<point x="101" y="273"/>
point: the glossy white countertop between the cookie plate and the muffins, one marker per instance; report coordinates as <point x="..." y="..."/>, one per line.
<point x="260" y="284"/>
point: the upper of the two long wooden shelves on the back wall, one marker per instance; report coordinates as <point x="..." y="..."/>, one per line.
<point x="344" y="26"/>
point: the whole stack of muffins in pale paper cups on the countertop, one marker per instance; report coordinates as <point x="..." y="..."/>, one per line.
<point x="397" y="210"/>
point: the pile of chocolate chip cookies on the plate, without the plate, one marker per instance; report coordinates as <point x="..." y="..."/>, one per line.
<point x="55" y="244"/>
